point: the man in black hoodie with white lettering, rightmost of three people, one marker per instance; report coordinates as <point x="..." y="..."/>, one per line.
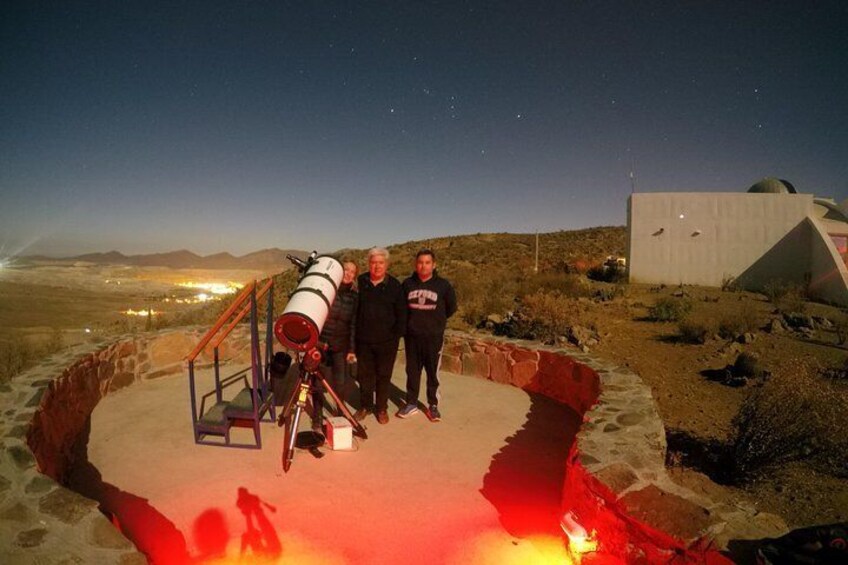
<point x="430" y="300"/>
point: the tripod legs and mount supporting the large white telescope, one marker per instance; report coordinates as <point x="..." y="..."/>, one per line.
<point x="307" y="386"/>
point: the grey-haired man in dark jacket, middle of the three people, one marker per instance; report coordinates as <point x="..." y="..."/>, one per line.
<point x="380" y="323"/>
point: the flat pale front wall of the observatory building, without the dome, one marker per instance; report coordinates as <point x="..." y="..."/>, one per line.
<point x="702" y="238"/>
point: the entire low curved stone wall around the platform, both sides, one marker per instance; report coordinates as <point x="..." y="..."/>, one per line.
<point x="615" y="480"/>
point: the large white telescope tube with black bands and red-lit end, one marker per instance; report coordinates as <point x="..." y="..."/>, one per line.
<point x="303" y="317"/>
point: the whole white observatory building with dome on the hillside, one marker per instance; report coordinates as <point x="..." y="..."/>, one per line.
<point x="769" y="233"/>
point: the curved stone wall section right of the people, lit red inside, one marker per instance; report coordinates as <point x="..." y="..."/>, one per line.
<point x="615" y="480"/>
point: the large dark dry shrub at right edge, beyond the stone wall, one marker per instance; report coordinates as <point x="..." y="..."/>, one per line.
<point x="792" y="417"/>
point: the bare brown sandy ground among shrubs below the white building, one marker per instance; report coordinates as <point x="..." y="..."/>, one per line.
<point x="702" y="408"/>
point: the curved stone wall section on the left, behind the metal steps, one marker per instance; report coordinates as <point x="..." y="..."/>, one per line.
<point x="45" y="413"/>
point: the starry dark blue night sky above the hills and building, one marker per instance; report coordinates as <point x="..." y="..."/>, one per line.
<point x="235" y="126"/>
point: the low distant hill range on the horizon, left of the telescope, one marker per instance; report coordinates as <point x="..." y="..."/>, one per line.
<point x="265" y="260"/>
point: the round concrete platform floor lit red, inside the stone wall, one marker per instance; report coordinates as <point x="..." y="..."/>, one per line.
<point x="482" y="486"/>
